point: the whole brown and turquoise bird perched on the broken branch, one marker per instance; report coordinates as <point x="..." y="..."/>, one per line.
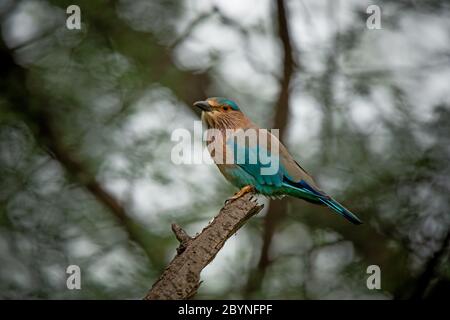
<point x="288" y="178"/>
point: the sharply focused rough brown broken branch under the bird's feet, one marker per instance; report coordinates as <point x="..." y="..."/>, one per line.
<point x="181" y="278"/>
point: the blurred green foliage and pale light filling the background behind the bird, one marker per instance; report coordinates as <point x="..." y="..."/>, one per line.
<point x="86" y="118"/>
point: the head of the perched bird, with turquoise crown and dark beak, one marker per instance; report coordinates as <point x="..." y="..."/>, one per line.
<point x="220" y="113"/>
